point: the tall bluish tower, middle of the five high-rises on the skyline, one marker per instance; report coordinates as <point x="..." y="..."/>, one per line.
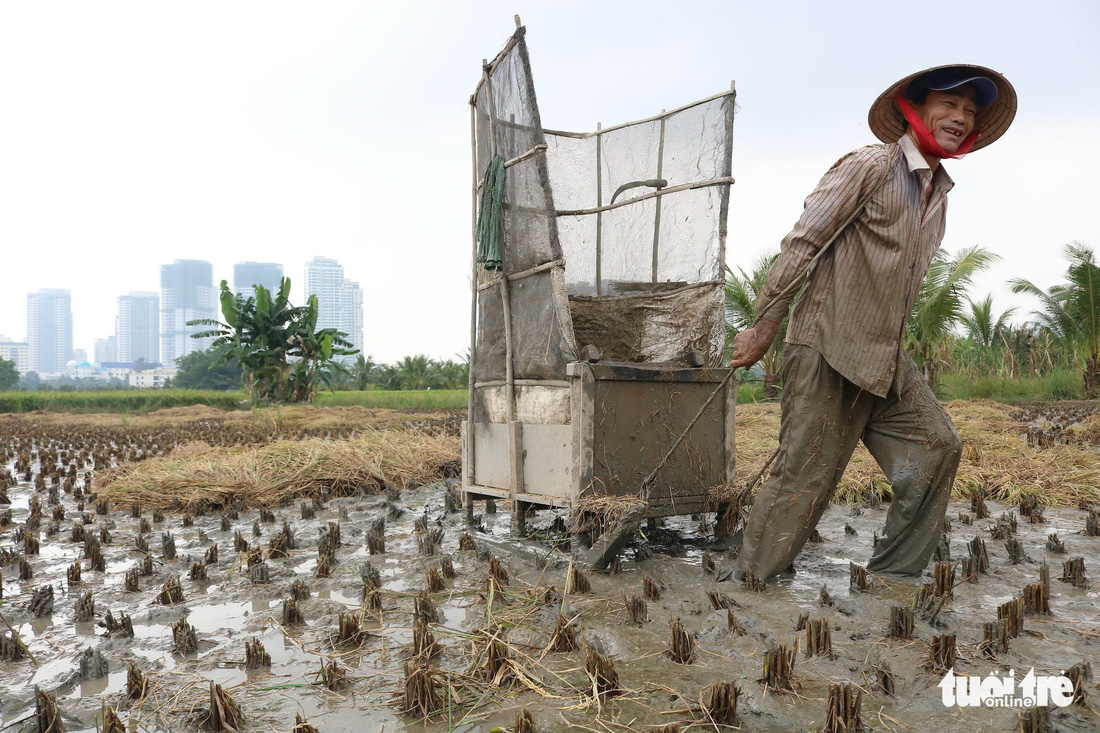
<point x="188" y="294"/>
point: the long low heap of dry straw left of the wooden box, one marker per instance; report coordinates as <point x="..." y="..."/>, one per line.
<point x="265" y="475"/>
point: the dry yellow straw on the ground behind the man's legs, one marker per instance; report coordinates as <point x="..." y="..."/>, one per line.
<point x="996" y="457"/>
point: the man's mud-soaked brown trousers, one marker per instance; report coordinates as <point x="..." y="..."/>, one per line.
<point x="823" y="415"/>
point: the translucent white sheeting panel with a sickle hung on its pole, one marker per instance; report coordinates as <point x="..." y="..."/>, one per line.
<point x="677" y="237"/>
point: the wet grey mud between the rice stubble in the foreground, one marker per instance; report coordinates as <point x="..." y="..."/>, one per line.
<point x="477" y="690"/>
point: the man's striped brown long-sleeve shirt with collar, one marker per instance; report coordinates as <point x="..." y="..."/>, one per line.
<point x="860" y="296"/>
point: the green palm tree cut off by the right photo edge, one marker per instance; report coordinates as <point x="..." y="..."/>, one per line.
<point x="1072" y="312"/>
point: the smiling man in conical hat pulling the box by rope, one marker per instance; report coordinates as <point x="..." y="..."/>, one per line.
<point x="846" y="376"/>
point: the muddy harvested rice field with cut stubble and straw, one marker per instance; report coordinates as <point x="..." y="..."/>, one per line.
<point x="371" y="604"/>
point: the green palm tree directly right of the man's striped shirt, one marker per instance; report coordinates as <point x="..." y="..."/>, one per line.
<point x="940" y="304"/>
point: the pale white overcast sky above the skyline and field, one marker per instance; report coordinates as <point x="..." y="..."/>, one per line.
<point x="136" y="134"/>
